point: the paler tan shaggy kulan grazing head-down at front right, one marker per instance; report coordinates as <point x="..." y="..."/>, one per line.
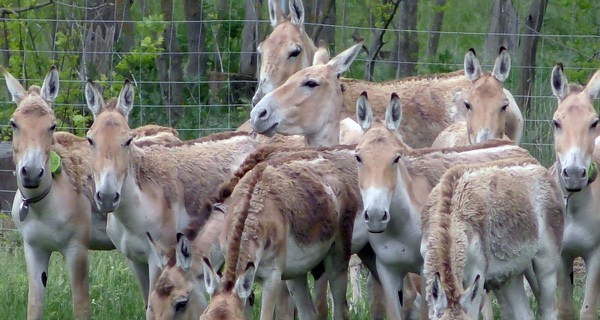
<point x="487" y="224"/>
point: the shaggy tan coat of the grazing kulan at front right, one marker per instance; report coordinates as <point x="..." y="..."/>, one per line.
<point x="458" y="207"/>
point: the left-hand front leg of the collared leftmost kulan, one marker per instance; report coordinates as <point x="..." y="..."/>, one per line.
<point x="37" y="272"/>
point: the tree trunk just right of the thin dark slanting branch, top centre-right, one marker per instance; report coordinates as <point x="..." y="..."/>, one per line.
<point x="406" y="48"/>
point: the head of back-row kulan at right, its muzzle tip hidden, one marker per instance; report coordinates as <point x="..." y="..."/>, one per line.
<point x="487" y="102"/>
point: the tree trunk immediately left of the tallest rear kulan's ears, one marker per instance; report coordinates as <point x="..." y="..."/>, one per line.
<point x="250" y="38"/>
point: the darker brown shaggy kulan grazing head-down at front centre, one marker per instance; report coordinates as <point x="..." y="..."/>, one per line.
<point x="289" y="214"/>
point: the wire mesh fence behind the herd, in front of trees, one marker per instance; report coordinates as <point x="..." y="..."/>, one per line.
<point x="194" y="62"/>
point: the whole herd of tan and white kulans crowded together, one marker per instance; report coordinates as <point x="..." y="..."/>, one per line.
<point x="422" y="178"/>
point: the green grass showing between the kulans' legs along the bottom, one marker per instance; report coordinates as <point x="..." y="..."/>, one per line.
<point x="113" y="290"/>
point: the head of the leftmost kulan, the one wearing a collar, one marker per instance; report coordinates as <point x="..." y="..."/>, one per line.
<point x="33" y="124"/>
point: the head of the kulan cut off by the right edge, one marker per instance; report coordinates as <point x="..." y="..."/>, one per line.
<point x="575" y="123"/>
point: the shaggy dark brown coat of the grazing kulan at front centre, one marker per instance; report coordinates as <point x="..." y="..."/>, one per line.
<point x="296" y="188"/>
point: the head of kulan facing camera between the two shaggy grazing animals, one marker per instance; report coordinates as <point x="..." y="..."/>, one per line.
<point x="378" y="155"/>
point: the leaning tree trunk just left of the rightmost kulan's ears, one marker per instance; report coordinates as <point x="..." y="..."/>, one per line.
<point x="528" y="49"/>
